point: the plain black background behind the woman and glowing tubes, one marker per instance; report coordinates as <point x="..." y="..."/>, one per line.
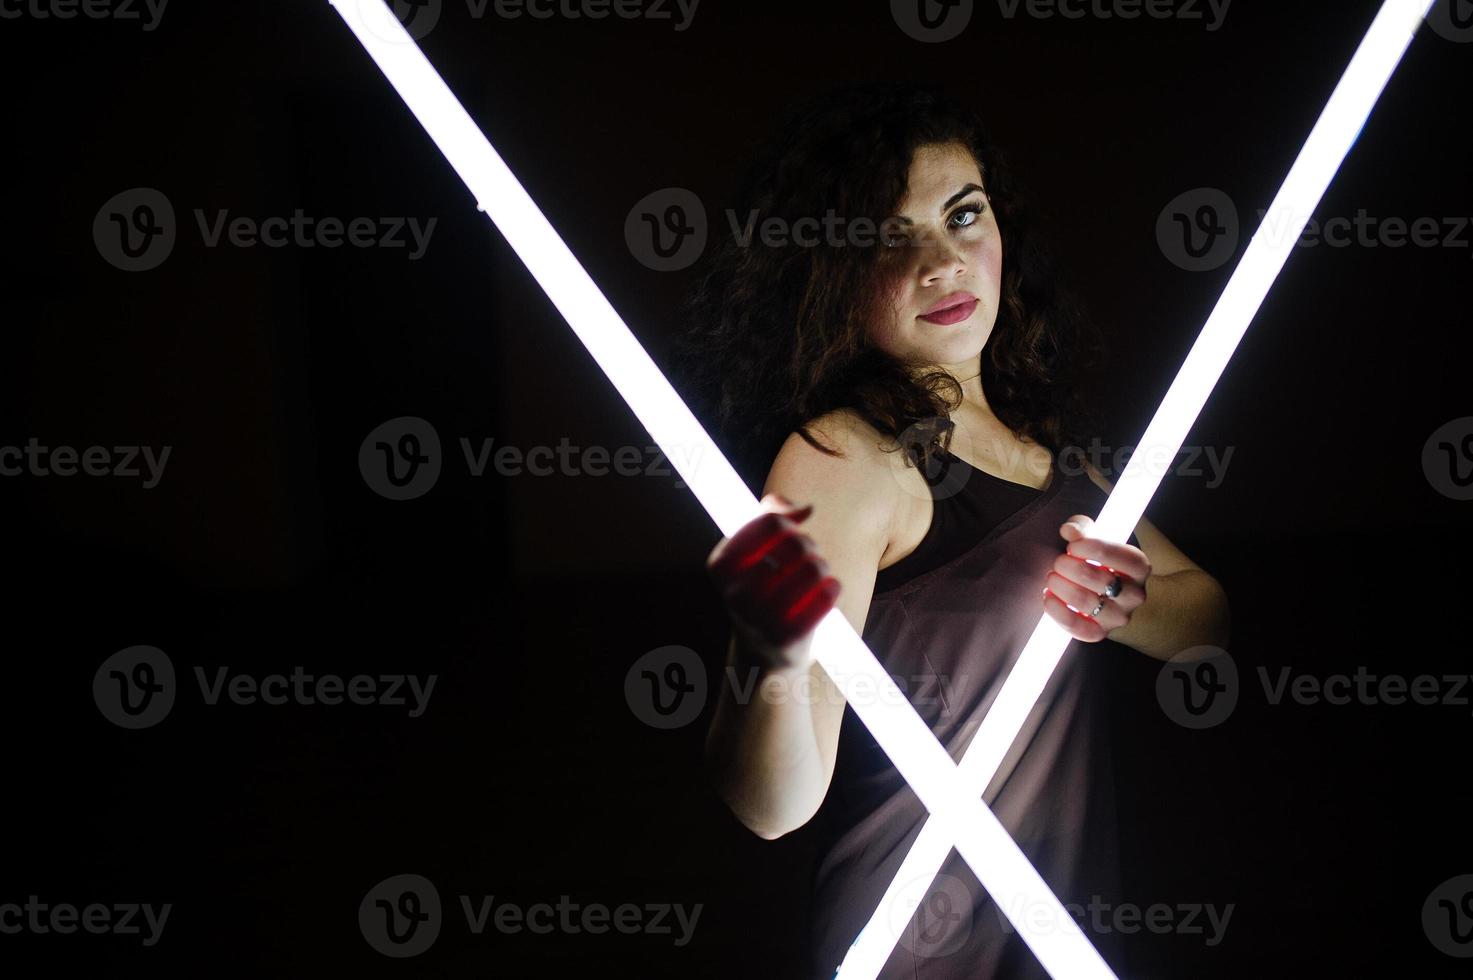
<point x="530" y="598"/>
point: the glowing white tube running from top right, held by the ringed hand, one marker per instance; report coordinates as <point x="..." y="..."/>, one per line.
<point x="1331" y="139"/>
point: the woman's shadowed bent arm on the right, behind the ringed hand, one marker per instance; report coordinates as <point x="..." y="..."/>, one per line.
<point x="1185" y="606"/>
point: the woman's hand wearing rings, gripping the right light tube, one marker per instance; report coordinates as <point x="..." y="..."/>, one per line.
<point x="1082" y="578"/>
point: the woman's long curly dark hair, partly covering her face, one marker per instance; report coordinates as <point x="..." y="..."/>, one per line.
<point x="777" y="335"/>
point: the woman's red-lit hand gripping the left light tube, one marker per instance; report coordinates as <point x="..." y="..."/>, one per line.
<point x="776" y="584"/>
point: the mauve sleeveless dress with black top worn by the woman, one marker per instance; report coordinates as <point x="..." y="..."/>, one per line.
<point x="948" y="621"/>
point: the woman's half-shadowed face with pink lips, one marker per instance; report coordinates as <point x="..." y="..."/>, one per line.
<point x="945" y="279"/>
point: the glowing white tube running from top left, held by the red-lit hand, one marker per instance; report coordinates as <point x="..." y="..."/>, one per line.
<point x="985" y="844"/>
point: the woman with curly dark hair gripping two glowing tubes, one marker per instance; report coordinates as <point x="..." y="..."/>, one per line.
<point x="917" y="393"/>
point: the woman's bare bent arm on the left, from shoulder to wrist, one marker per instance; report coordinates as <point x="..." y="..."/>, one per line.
<point x="774" y="738"/>
